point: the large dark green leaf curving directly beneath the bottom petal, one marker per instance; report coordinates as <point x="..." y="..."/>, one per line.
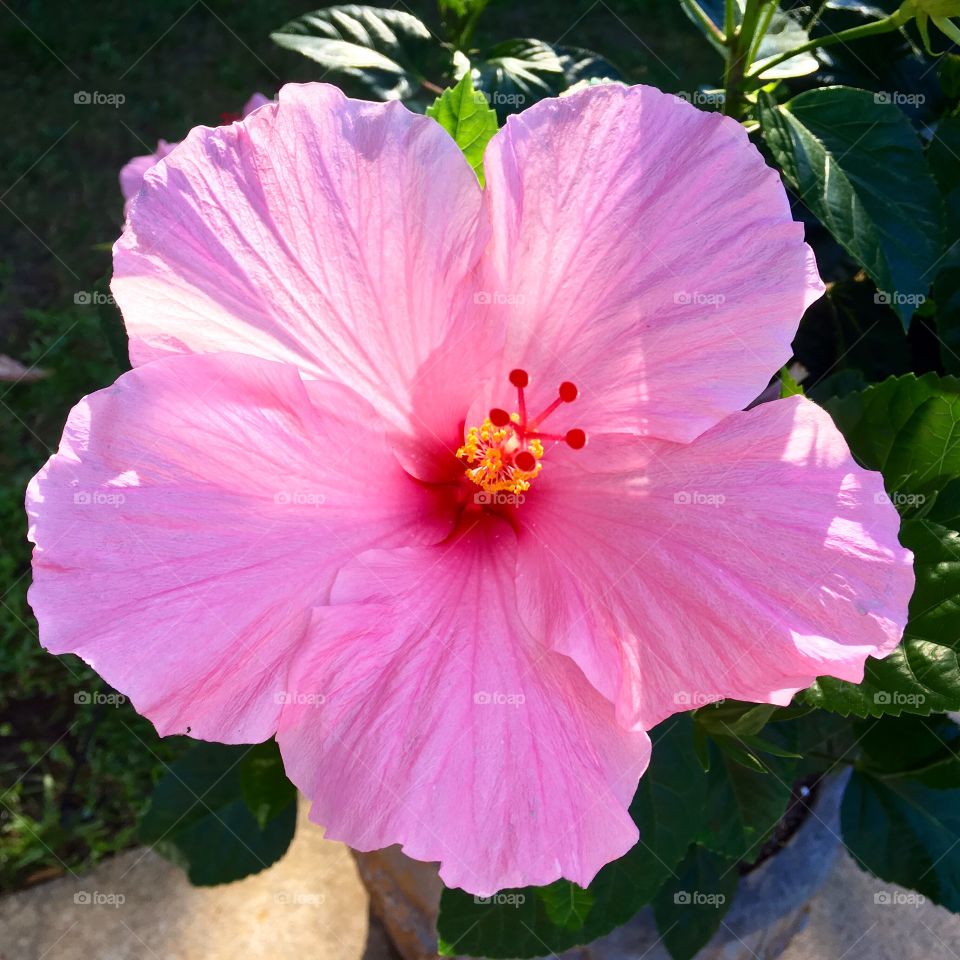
<point x="667" y="808"/>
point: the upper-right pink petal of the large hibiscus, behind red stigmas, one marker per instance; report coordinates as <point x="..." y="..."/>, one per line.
<point x="643" y="249"/>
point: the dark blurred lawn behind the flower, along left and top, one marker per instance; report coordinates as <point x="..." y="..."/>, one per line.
<point x="75" y="768"/>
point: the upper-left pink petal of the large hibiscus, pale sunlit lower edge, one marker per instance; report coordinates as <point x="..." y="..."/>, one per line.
<point x="329" y="233"/>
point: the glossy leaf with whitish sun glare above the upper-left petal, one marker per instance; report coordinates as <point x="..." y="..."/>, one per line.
<point x="387" y="53"/>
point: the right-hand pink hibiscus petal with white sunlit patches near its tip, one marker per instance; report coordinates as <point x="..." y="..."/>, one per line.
<point x="743" y="565"/>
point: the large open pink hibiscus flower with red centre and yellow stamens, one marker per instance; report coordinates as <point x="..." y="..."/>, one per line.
<point x="345" y="495"/>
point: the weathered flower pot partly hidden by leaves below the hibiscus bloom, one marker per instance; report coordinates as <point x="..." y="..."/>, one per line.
<point x="771" y="907"/>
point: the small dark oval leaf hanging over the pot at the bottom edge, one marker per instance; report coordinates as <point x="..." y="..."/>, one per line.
<point x="689" y="909"/>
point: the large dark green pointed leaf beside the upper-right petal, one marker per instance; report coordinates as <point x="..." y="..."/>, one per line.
<point x="859" y="166"/>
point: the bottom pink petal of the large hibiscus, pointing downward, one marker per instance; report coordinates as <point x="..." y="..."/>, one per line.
<point x="426" y="715"/>
